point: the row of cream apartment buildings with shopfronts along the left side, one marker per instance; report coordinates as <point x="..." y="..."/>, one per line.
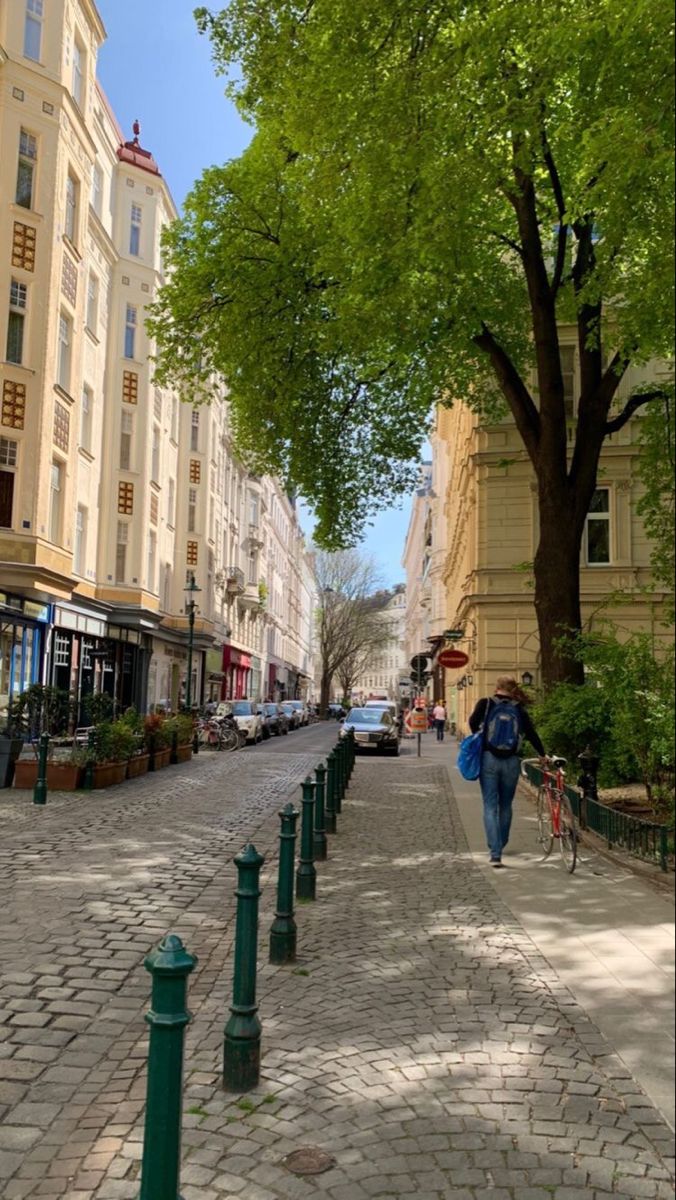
<point x="115" y="496"/>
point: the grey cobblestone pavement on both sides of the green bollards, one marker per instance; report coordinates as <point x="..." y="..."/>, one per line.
<point x="421" y="1040"/>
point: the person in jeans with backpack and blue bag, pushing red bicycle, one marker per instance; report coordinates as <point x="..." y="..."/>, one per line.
<point x="506" y="723"/>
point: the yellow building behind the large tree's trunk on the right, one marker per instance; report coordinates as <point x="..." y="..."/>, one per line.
<point x="488" y="539"/>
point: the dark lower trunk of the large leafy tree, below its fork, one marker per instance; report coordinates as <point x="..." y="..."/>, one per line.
<point x="558" y="593"/>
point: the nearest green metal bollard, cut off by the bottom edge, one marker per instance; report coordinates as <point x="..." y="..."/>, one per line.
<point x="170" y="965"/>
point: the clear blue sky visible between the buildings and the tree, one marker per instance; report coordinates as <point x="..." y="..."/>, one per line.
<point x="160" y="71"/>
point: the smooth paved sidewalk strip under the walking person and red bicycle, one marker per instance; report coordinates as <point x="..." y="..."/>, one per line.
<point x="608" y="934"/>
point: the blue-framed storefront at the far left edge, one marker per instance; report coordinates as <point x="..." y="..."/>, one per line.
<point x="25" y="635"/>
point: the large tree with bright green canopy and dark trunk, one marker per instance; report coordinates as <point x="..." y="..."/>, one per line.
<point x="433" y="190"/>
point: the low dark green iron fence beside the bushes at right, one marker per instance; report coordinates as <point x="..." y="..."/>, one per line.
<point x="648" y="841"/>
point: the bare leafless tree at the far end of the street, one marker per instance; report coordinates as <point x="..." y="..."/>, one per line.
<point x="350" y="627"/>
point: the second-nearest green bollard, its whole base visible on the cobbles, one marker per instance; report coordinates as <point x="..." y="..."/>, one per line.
<point x="242" y="1043"/>
